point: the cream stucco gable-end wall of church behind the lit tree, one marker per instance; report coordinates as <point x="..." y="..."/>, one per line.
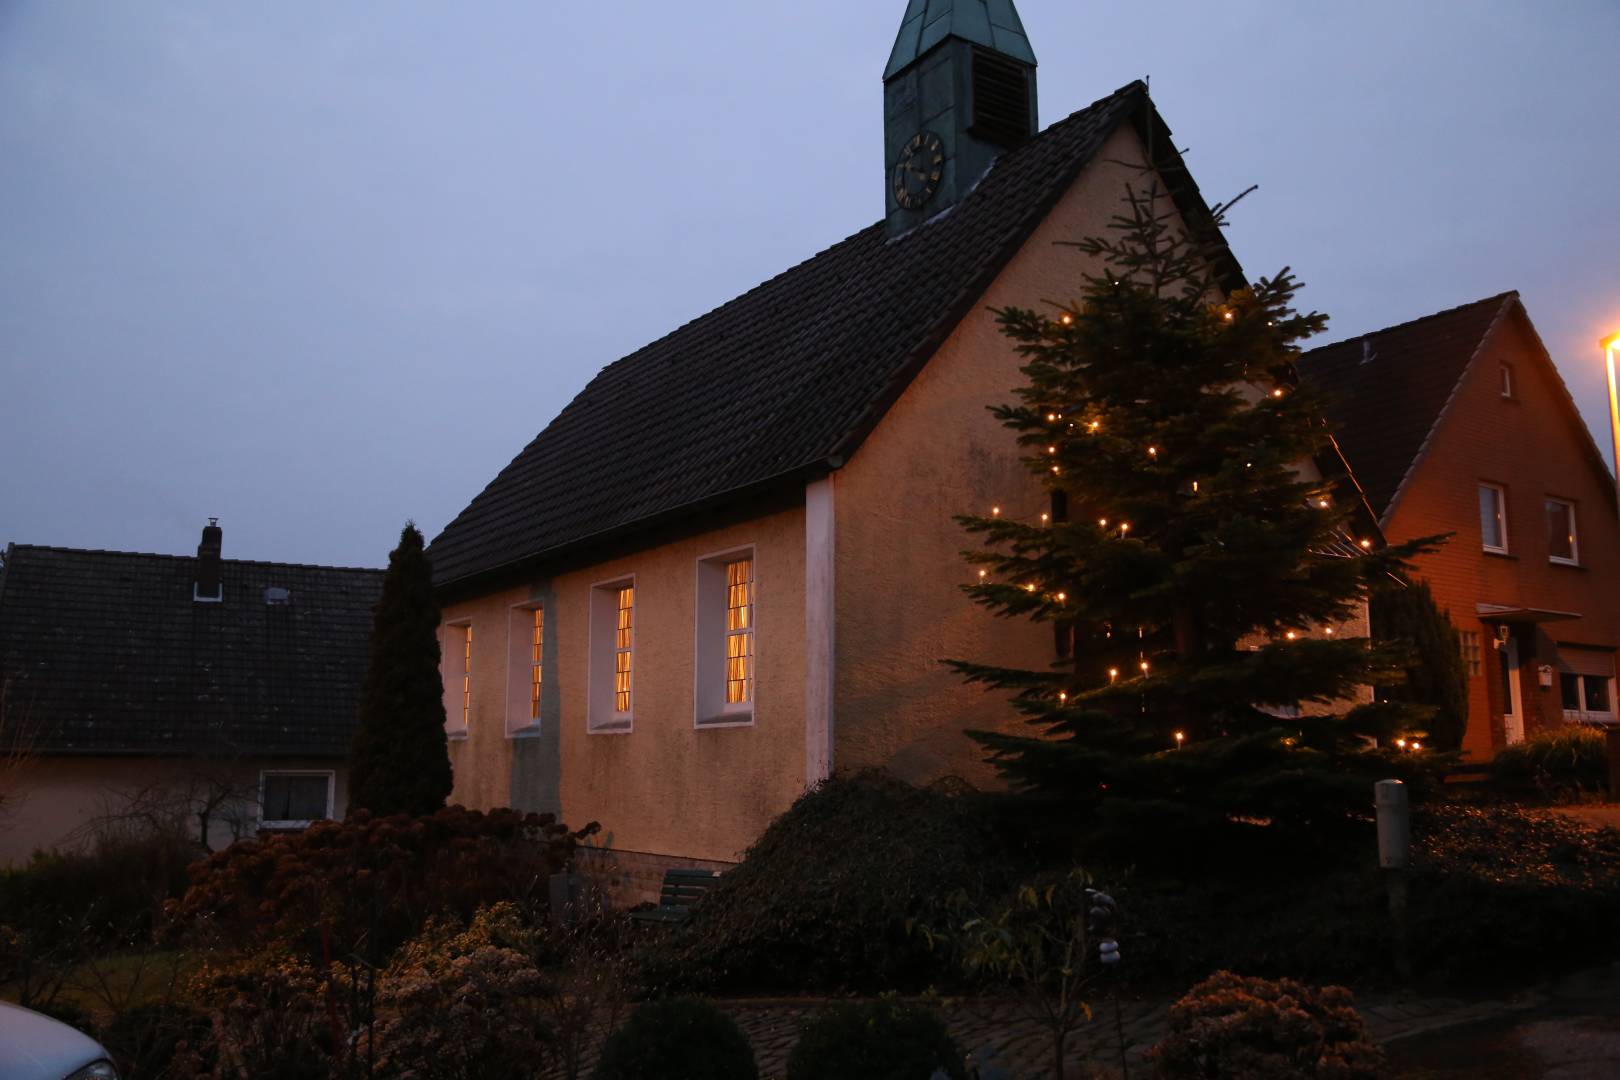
<point x="937" y="454"/>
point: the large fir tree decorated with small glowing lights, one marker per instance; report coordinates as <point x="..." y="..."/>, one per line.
<point x="1200" y="584"/>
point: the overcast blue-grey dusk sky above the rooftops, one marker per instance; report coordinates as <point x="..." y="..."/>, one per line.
<point x="320" y="268"/>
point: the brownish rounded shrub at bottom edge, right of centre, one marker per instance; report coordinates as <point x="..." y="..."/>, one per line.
<point x="1250" y="1029"/>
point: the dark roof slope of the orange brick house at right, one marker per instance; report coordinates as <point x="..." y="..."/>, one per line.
<point x="1388" y="389"/>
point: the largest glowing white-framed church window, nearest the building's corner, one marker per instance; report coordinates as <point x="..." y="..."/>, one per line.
<point x="727" y="642"/>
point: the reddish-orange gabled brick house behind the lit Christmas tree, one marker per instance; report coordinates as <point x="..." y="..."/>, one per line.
<point x="1459" y="423"/>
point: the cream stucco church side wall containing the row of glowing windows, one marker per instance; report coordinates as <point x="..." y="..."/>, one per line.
<point x="665" y="788"/>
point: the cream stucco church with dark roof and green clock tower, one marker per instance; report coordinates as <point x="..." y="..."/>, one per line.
<point x="730" y="568"/>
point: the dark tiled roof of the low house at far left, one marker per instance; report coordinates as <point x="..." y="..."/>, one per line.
<point x="109" y="653"/>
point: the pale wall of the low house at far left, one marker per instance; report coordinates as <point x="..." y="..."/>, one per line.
<point x="59" y="801"/>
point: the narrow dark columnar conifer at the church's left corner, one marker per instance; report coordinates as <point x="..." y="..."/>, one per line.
<point x="401" y="762"/>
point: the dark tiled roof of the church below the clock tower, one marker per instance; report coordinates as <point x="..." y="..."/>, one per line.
<point x="785" y="381"/>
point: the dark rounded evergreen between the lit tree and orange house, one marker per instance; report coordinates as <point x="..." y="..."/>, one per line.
<point x="1435" y="674"/>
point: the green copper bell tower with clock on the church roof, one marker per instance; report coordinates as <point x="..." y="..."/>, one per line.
<point x="958" y="93"/>
